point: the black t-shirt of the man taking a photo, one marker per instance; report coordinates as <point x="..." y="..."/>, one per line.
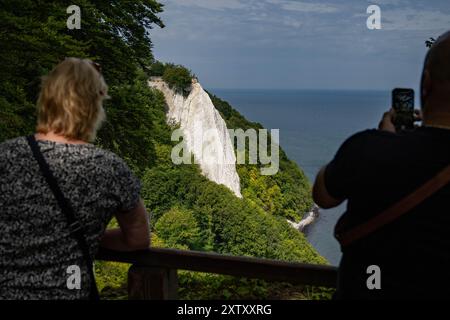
<point x="373" y="170"/>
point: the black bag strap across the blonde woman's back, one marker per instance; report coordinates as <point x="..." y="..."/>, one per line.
<point x="74" y="225"/>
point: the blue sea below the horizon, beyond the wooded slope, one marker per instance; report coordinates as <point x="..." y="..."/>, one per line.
<point x="312" y="124"/>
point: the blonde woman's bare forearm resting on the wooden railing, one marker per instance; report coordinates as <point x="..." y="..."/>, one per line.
<point x="133" y="234"/>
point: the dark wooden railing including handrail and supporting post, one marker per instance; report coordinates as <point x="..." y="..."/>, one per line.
<point x="153" y="274"/>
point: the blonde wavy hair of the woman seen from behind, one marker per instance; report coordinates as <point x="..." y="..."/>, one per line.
<point x="71" y="100"/>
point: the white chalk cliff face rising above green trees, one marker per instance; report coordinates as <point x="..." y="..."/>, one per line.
<point x="204" y="132"/>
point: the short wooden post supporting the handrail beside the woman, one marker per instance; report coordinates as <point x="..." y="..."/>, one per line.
<point x="152" y="283"/>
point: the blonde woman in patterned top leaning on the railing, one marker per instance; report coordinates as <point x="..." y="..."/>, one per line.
<point x="59" y="191"/>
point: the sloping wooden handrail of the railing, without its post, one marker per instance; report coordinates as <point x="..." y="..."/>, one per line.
<point x="249" y="267"/>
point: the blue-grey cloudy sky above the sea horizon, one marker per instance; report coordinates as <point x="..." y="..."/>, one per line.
<point x="299" y="44"/>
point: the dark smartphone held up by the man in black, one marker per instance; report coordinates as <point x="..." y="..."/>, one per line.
<point x="403" y="104"/>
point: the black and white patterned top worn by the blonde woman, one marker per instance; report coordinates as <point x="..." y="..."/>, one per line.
<point x="36" y="248"/>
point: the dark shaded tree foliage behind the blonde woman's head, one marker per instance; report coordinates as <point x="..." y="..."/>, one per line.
<point x="34" y="38"/>
